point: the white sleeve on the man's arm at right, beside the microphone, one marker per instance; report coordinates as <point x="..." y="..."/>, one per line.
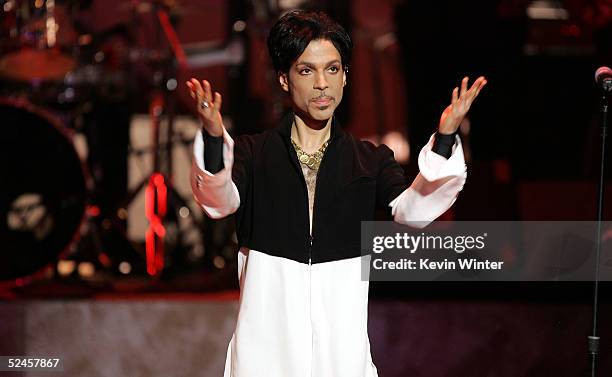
<point x="435" y="188"/>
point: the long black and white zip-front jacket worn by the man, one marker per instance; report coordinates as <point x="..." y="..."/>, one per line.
<point x="303" y="306"/>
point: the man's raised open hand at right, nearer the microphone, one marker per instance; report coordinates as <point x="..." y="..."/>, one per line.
<point x="460" y="105"/>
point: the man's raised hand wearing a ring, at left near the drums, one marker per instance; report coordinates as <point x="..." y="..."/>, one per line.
<point x="209" y="108"/>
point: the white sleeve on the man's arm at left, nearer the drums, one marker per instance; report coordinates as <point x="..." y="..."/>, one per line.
<point x="215" y="193"/>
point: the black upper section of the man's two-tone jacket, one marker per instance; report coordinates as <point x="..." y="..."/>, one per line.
<point x="353" y="179"/>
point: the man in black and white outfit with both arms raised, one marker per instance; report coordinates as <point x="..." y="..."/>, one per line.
<point x="300" y="192"/>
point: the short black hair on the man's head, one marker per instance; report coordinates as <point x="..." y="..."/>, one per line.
<point x="292" y="33"/>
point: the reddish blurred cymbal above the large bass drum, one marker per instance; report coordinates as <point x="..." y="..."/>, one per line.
<point x="31" y="64"/>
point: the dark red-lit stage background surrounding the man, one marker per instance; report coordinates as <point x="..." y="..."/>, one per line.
<point x="531" y="143"/>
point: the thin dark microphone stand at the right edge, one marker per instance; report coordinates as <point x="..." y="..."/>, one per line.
<point x="593" y="339"/>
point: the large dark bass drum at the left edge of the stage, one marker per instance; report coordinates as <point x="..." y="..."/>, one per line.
<point x="44" y="190"/>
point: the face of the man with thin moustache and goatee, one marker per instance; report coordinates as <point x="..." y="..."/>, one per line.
<point x="315" y="81"/>
